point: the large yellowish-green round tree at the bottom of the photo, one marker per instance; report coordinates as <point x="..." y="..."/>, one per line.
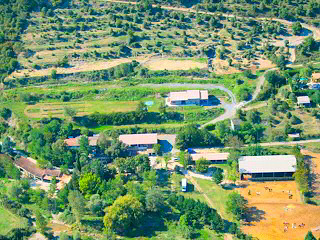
<point x="124" y="214"/>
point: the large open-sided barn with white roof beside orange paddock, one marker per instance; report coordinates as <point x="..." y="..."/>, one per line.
<point x="274" y="167"/>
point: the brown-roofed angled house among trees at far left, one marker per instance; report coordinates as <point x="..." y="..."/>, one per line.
<point x="29" y="167"/>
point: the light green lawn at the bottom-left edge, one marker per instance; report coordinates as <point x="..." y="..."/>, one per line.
<point x="9" y="221"/>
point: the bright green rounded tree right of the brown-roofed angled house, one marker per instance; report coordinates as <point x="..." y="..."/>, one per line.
<point x="89" y="183"/>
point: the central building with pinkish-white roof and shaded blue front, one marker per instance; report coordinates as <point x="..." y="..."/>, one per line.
<point x="139" y="142"/>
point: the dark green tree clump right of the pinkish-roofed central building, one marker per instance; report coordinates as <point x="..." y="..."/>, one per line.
<point x="191" y="136"/>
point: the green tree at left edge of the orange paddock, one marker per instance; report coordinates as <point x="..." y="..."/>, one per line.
<point x="237" y="205"/>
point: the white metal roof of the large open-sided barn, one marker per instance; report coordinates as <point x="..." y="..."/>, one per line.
<point x="267" y="164"/>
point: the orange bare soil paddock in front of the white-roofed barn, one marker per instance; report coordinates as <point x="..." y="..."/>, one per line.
<point x="270" y="210"/>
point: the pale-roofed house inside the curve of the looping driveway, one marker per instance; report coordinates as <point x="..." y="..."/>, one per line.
<point x="189" y="97"/>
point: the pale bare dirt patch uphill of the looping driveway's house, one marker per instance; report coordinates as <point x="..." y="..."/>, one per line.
<point x="174" y="64"/>
